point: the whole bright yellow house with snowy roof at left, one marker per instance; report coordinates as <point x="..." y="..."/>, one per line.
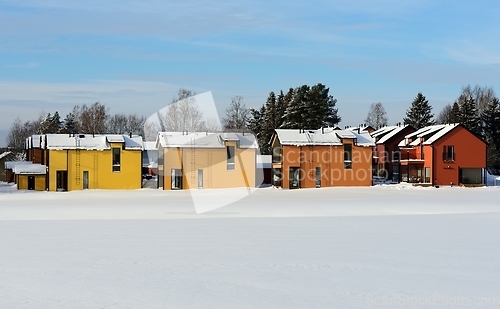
<point x="79" y="161"/>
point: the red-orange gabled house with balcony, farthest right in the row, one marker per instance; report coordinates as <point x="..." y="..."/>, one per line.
<point x="441" y="155"/>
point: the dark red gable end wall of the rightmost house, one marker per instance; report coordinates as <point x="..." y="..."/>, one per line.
<point x="470" y="152"/>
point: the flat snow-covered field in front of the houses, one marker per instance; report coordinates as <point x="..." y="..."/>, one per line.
<point x="384" y="246"/>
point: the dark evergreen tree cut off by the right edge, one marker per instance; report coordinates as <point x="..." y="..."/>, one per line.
<point x="491" y="120"/>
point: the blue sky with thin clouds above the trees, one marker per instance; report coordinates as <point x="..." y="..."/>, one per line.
<point x="133" y="56"/>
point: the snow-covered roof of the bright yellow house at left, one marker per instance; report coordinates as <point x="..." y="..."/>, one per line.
<point x="89" y="141"/>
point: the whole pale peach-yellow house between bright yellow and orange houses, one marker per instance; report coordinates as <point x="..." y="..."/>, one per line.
<point x="190" y="160"/>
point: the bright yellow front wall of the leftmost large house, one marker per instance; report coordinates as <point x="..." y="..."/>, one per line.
<point x="98" y="163"/>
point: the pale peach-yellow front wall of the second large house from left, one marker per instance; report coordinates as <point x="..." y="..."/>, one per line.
<point x="213" y="163"/>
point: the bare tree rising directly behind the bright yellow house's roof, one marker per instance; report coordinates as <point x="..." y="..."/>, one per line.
<point x="91" y="119"/>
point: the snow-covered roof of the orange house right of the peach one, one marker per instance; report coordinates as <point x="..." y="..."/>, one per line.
<point x="326" y="136"/>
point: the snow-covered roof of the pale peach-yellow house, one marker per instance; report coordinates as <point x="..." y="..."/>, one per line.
<point x="204" y="139"/>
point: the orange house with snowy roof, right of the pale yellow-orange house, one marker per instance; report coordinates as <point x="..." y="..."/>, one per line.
<point x="321" y="158"/>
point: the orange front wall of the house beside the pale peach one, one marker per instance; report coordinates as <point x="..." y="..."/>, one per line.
<point x="331" y="161"/>
